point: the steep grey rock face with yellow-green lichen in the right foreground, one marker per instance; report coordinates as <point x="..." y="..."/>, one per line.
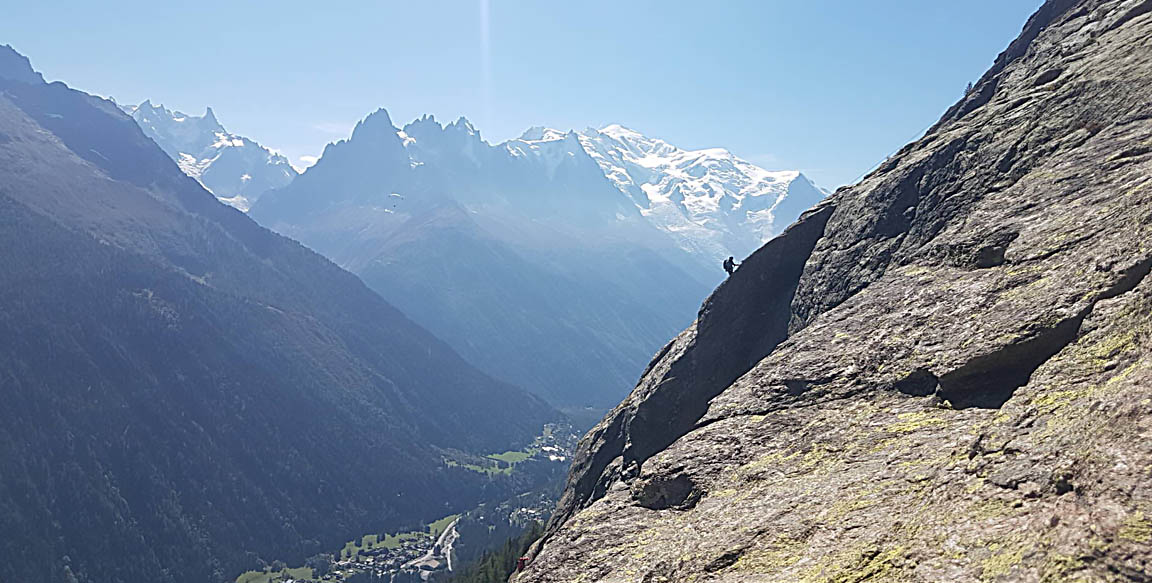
<point x="943" y="374"/>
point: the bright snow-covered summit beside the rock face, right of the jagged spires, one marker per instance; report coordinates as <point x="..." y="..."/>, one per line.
<point x="710" y="202"/>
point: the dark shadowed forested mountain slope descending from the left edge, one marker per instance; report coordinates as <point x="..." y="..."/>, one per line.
<point x="185" y="392"/>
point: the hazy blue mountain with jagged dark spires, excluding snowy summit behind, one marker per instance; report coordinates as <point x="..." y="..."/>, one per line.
<point x="529" y="269"/>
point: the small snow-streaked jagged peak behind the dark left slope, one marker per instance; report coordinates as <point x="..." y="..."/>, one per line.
<point x="236" y="169"/>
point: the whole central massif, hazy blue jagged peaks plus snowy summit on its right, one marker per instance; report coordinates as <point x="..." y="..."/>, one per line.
<point x="525" y="256"/>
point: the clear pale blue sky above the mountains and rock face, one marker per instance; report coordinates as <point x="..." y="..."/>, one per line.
<point x="827" y="87"/>
